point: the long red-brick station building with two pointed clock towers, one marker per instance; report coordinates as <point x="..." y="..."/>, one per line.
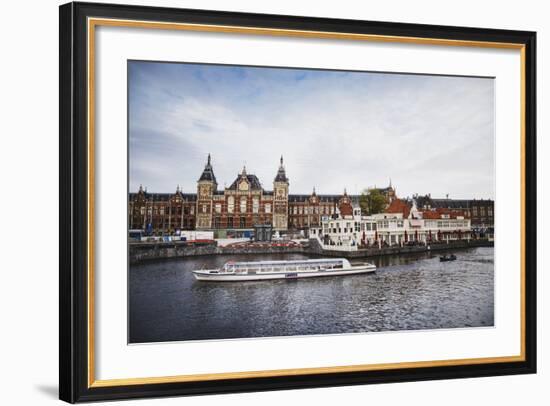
<point x="241" y="206"/>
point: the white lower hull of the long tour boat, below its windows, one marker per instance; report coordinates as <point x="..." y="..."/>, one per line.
<point x="236" y="277"/>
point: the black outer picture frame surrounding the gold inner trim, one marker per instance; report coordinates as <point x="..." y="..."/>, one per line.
<point x="74" y="385"/>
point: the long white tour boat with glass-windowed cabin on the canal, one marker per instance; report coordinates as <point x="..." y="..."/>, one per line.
<point x="294" y="269"/>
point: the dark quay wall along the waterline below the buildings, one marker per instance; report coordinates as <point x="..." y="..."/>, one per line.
<point x="147" y="251"/>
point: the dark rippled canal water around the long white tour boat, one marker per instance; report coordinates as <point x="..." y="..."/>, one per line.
<point x="414" y="291"/>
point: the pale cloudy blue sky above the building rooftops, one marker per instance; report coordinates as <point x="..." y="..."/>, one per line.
<point x="335" y="129"/>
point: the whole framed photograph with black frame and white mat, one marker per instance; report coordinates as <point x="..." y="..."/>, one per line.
<point x="255" y="202"/>
